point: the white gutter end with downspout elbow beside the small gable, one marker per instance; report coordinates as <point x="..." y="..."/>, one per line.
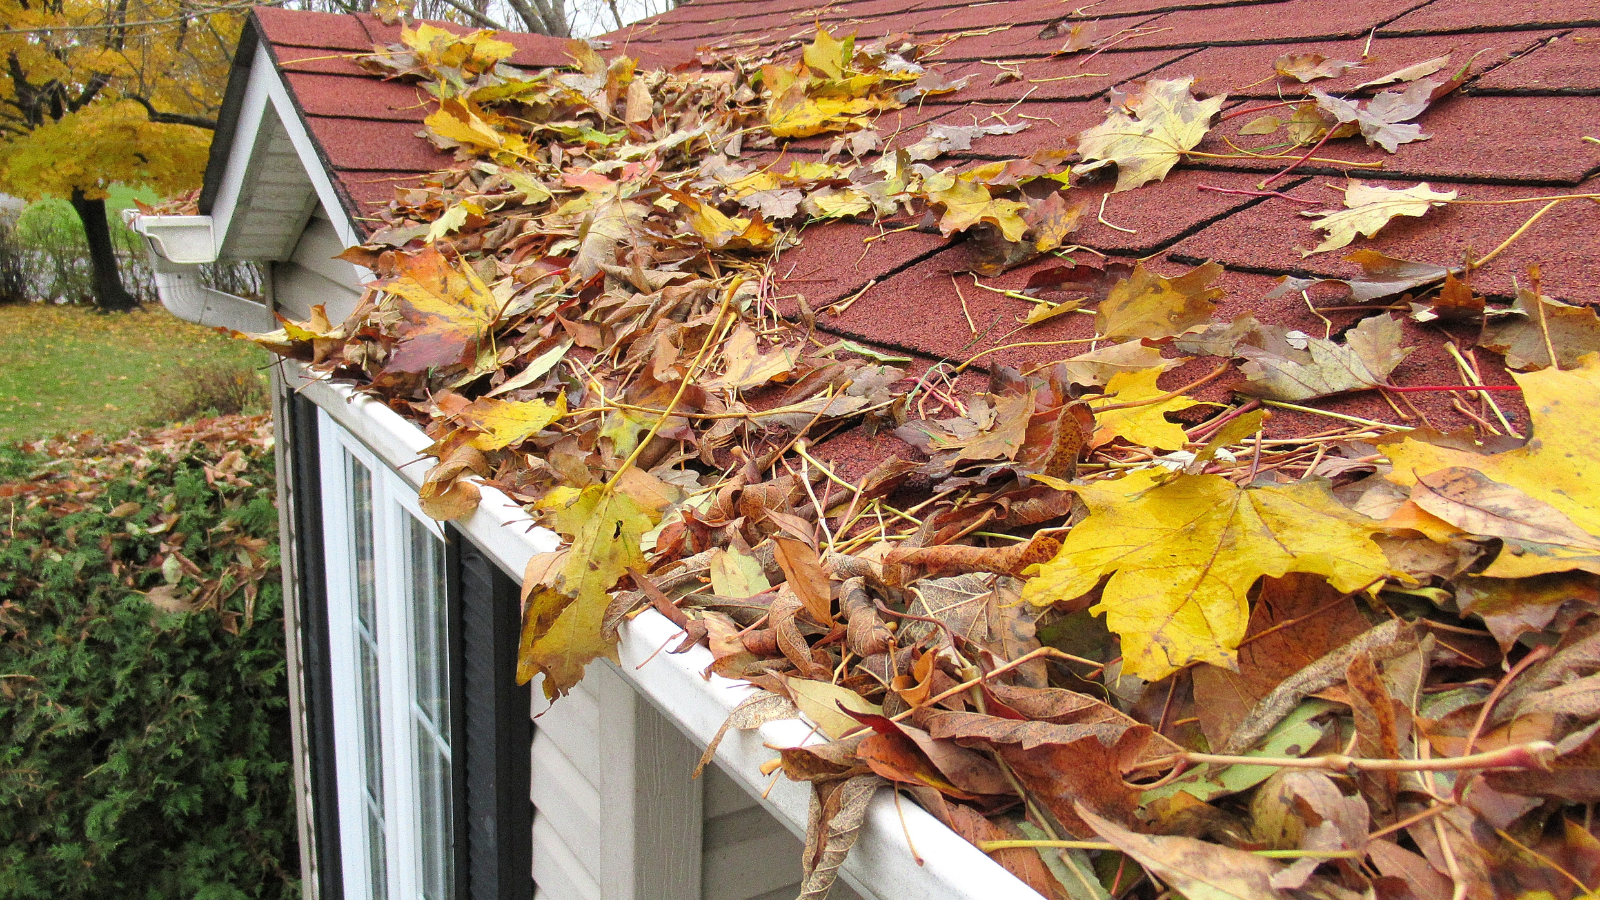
<point x="178" y="246"/>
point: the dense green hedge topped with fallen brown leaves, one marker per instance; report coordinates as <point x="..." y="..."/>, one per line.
<point x="143" y="699"/>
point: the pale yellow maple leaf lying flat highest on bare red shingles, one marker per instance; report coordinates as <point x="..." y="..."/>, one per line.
<point x="1150" y="134"/>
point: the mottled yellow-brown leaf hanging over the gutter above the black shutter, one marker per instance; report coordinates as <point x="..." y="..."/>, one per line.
<point x="562" y="625"/>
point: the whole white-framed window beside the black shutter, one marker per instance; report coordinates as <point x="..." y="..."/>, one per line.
<point x="394" y="717"/>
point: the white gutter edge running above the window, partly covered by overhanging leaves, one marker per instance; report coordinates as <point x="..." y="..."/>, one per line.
<point x="881" y="867"/>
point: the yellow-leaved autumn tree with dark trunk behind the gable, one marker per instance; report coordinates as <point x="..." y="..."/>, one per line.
<point x="97" y="94"/>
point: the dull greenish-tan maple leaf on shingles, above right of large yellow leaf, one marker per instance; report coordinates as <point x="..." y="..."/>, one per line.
<point x="1369" y="355"/>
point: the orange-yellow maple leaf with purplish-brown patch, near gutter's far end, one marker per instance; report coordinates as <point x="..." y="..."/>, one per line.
<point x="446" y="313"/>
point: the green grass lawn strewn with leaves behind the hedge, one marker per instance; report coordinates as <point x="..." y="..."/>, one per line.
<point x="73" y="369"/>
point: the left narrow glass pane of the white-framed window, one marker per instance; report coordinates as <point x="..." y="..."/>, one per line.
<point x="369" y="673"/>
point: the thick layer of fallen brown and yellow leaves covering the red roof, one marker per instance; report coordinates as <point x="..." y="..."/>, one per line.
<point x="1114" y="651"/>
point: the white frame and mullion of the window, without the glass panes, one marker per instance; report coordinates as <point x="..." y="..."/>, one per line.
<point x="394" y="507"/>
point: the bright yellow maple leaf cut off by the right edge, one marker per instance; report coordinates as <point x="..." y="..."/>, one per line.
<point x="1554" y="470"/>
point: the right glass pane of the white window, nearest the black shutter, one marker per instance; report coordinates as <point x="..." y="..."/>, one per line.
<point x="431" y="710"/>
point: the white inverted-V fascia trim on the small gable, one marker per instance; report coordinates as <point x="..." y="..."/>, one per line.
<point x="266" y="92"/>
